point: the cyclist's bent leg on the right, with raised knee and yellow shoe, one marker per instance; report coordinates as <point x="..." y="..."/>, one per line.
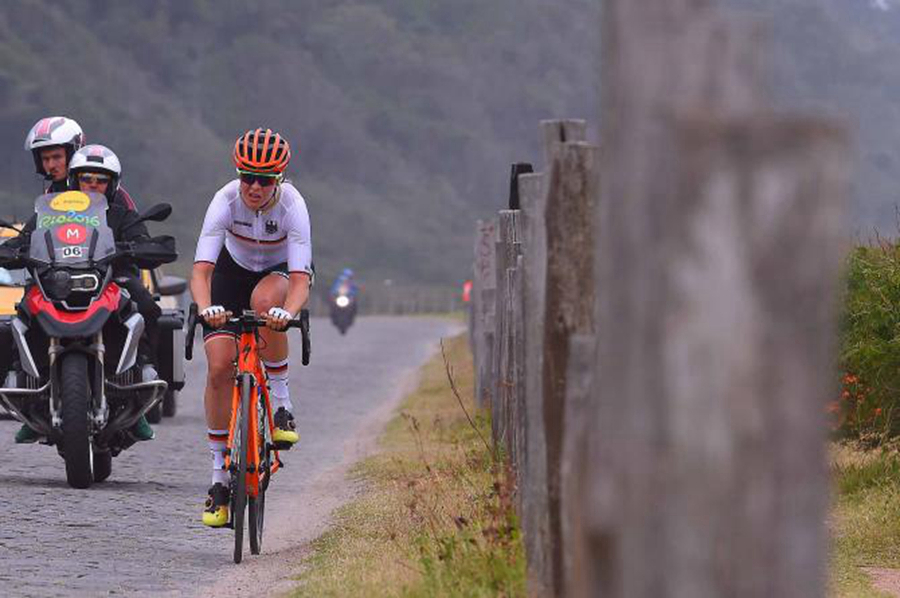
<point x="270" y="292"/>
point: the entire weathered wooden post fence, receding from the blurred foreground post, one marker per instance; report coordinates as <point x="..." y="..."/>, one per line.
<point x="655" y="343"/>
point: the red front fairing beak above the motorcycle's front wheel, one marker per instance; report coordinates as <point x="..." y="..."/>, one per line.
<point x="67" y="324"/>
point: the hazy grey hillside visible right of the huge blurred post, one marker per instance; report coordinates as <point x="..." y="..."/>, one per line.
<point x="840" y="58"/>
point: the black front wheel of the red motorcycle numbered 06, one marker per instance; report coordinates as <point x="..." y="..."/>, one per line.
<point x="76" y="427"/>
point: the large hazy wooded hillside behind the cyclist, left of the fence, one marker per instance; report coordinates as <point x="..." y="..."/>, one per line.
<point x="406" y="113"/>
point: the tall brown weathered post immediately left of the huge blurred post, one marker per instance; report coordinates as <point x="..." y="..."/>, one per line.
<point x="571" y="199"/>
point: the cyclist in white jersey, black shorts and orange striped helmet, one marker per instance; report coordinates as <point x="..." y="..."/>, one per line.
<point x="254" y="252"/>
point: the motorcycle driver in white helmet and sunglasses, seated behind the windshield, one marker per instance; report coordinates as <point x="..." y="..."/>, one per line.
<point x="95" y="168"/>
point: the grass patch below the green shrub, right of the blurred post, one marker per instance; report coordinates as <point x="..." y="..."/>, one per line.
<point x="865" y="518"/>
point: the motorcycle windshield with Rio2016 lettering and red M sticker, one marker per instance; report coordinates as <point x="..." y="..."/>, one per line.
<point x="71" y="229"/>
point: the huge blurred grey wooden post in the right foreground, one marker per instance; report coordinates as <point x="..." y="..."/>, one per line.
<point x="717" y="270"/>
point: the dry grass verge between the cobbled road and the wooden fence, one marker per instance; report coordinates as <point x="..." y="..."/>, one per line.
<point x="436" y="516"/>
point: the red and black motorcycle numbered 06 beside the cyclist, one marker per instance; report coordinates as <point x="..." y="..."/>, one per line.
<point x="75" y="379"/>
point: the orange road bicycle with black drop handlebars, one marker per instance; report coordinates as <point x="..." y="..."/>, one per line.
<point x="251" y="457"/>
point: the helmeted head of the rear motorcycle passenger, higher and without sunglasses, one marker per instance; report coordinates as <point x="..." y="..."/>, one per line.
<point x="52" y="142"/>
